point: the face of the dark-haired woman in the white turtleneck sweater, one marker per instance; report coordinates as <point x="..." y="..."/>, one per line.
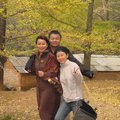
<point x="61" y="57"/>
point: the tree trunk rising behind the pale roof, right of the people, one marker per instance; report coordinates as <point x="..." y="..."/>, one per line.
<point x="87" y="54"/>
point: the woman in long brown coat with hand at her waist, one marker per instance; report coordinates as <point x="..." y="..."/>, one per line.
<point x="46" y="67"/>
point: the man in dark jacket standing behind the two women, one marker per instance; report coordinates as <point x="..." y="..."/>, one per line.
<point x="55" y="39"/>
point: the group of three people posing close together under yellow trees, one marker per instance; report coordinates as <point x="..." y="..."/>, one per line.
<point x="54" y="62"/>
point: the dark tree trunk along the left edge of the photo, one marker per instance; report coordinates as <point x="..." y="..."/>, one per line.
<point x="2" y="37"/>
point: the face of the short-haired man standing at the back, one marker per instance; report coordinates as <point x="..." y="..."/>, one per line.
<point x="54" y="40"/>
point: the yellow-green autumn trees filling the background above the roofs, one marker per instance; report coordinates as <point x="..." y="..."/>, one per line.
<point x="26" y="19"/>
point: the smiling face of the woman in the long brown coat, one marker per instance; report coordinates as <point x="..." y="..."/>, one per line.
<point x="41" y="45"/>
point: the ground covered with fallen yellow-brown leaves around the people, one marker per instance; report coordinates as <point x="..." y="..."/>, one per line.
<point x="16" y="105"/>
